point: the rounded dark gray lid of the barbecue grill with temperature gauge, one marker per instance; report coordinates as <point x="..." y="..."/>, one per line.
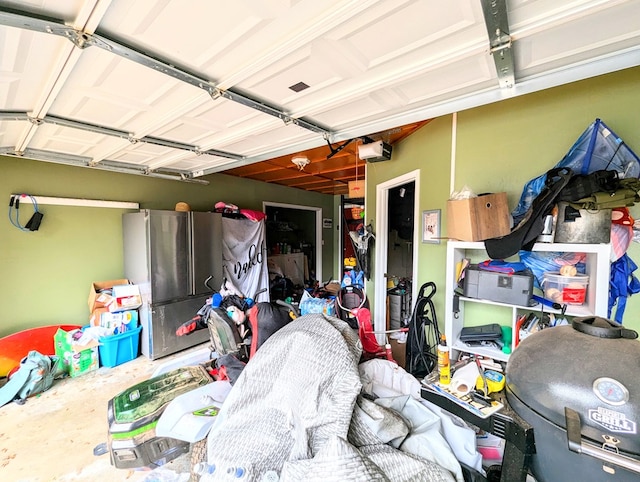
<point x="590" y="367"/>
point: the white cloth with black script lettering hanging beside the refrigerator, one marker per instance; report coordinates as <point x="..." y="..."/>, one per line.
<point x="244" y="256"/>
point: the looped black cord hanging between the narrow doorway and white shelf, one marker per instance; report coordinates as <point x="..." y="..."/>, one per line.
<point x="424" y="335"/>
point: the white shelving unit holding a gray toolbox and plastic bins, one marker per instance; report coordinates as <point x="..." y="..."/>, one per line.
<point x="469" y="284"/>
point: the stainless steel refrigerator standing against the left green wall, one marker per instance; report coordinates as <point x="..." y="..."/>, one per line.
<point x="170" y="254"/>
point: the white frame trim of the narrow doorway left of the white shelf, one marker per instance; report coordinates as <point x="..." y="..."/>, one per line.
<point x="382" y="246"/>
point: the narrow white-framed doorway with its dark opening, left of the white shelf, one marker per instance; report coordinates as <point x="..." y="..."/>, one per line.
<point x="396" y="250"/>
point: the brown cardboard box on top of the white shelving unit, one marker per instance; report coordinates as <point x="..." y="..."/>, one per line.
<point x="478" y="218"/>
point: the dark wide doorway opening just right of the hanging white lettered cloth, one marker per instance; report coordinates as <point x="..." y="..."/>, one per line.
<point x="294" y="248"/>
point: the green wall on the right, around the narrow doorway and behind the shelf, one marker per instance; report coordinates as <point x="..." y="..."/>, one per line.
<point x="500" y="147"/>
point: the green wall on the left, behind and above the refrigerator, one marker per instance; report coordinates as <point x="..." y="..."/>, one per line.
<point x="46" y="274"/>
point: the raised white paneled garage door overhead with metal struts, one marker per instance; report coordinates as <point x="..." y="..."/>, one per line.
<point x="184" y="88"/>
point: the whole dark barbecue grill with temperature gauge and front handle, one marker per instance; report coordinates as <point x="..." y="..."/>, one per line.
<point x="578" y="387"/>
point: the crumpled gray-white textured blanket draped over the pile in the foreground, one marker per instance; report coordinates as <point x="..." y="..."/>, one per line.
<point x="296" y="414"/>
